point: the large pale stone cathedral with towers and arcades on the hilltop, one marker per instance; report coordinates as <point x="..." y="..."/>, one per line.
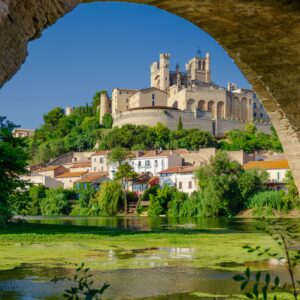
<point x="190" y="95"/>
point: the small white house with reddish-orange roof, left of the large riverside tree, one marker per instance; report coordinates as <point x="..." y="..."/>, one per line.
<point x="182" y="177"/>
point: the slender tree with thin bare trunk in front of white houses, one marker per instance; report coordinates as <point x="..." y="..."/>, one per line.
<point x="121" y="158"/>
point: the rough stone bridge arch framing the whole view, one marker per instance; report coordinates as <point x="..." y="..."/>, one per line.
<point x="24" y="22"/>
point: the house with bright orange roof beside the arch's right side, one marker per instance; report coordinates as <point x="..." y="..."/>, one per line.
<point x="276" y="169"/>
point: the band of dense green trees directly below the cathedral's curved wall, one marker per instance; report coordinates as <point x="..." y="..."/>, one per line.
<point x="139" y="137"/>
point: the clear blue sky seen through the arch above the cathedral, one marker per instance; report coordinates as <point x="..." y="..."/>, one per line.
<point x="100" y="46"/>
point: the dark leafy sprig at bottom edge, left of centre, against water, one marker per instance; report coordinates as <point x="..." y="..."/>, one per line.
<point x="82" y="285"/>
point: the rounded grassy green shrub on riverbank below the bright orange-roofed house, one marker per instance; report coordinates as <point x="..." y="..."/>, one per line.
<point x="265" y="202"/>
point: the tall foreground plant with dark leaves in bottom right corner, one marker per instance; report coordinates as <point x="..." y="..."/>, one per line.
<point x="285" y="235"/>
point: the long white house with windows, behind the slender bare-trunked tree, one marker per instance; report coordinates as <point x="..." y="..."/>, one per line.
<point x="151" y="162"/>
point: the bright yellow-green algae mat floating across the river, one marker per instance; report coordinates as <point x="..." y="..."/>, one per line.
<point x="109" y="249"/>
